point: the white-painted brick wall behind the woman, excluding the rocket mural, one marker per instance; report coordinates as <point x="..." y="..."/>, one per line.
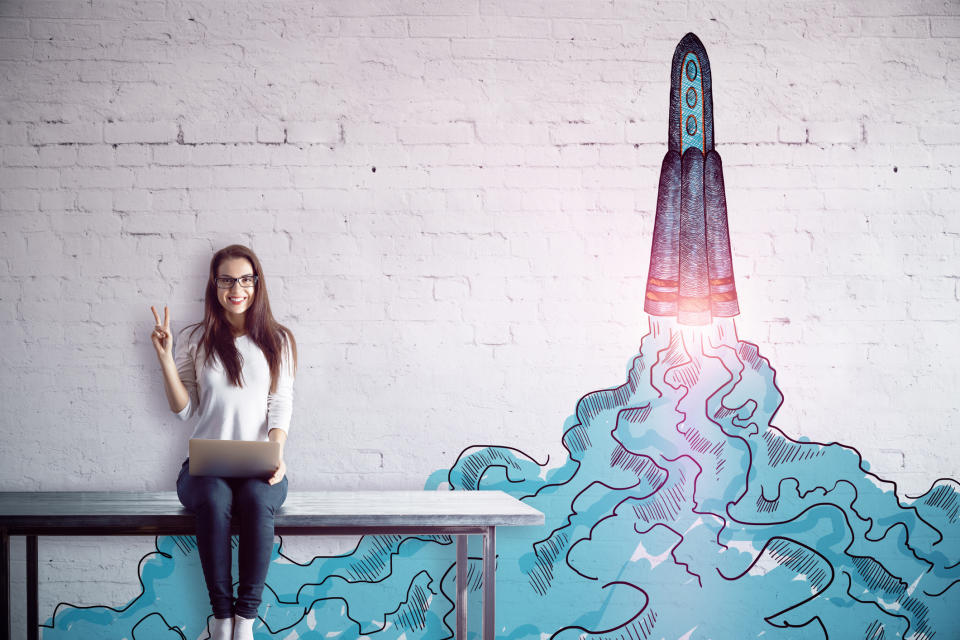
<point x="453" y="202"/>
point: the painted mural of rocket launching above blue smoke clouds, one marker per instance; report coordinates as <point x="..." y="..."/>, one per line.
<point x="680" y="512"/>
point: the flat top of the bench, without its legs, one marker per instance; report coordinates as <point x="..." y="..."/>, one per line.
<point x="51" y="512"/>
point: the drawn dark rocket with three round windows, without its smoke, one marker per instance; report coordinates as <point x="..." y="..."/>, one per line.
<point x="691" y="271"/>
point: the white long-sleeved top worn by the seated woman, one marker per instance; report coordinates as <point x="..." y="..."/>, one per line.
<point x="226" y="412"/>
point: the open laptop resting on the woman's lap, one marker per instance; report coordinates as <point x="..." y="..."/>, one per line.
<point x="233" y="458"/>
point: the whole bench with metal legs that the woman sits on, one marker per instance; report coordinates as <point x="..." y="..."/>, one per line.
<point x="119" y="513"/>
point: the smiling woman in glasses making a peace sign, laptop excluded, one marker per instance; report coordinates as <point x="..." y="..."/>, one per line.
<point x="234" y="371"/>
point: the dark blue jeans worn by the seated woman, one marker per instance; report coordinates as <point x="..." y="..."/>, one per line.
<point x="213" y="500"/>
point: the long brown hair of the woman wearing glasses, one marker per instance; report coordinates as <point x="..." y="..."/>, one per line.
<point x="268" y="334"/>
